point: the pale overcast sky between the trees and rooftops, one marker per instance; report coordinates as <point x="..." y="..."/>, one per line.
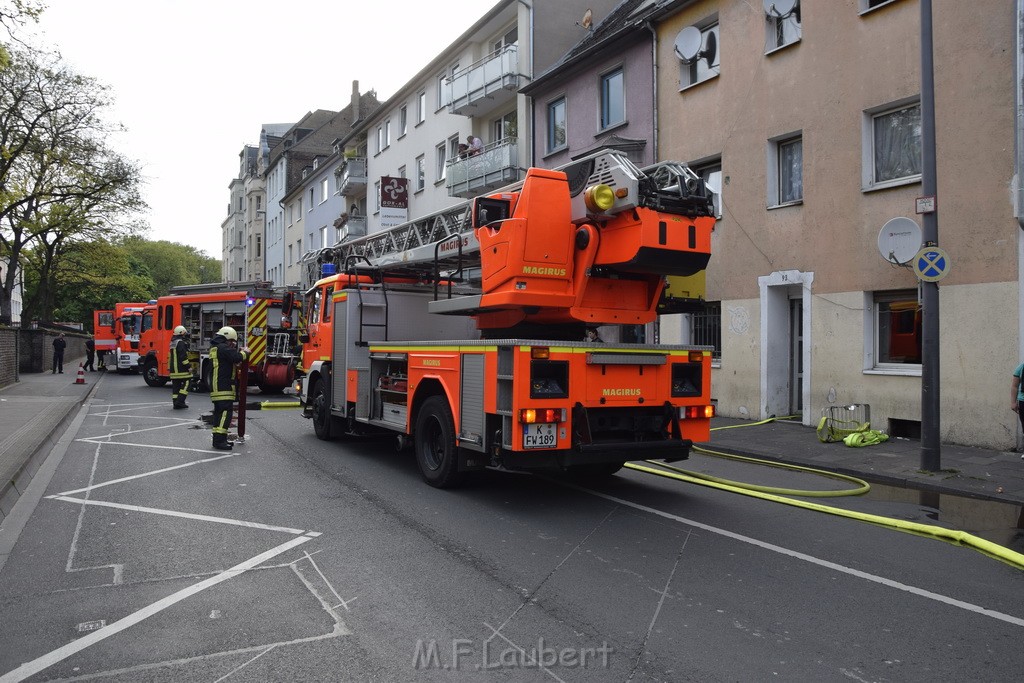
<point x="194" y="80"/>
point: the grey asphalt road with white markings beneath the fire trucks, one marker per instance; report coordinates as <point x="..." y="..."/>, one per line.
<point x="152" y="558"/>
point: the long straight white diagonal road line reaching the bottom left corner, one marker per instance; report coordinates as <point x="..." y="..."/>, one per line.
<point x="62" y="654"/>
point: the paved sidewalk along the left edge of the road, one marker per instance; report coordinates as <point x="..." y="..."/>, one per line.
<point x="34" y="414"/>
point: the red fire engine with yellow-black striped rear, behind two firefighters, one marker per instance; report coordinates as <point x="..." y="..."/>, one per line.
<point x="254" y="310"/>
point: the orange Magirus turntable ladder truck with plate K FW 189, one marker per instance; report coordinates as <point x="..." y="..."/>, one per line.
<point x="461" y="332"/>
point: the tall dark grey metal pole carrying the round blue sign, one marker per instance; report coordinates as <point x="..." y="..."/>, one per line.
<point x="931" y="448"/>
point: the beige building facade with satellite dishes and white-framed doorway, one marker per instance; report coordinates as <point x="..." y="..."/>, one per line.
<point x="808" y="125"/>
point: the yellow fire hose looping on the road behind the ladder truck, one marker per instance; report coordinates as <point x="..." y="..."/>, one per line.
<point x="953" y="537"/>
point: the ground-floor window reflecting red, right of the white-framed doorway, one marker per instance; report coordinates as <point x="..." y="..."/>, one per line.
<point x="897" y="321"/>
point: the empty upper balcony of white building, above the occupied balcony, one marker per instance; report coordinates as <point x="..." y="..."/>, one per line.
<point x="486" y="86"/>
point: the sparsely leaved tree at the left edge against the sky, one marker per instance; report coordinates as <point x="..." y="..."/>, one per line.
<point x="61" y="185"/>
